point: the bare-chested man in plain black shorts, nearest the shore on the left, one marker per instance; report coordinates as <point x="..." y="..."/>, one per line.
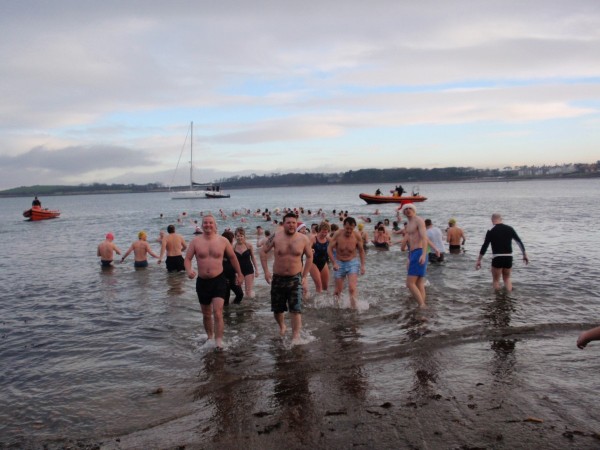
<point x="209" y="248"/>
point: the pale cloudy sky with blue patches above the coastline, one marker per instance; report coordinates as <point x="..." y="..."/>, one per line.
<point x="105" y="91"/>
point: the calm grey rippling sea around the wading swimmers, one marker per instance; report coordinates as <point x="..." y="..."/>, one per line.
<point x="83" y="350"/>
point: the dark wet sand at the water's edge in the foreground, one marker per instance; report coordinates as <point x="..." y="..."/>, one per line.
<point x="423" y="397"/>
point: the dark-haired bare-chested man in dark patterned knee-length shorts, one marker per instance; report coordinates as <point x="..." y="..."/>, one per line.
<point x="288" y="273"/>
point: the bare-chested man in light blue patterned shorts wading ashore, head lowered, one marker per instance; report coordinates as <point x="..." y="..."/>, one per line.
<point x="347" y="243"/>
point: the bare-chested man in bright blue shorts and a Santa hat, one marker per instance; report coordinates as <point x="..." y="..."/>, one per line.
<point x="416" y="235"/>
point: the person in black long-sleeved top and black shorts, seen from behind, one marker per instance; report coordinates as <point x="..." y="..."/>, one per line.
<point x="500" y="236"/>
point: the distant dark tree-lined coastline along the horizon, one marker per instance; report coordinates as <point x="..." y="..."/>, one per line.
<point x="391" y="177"/>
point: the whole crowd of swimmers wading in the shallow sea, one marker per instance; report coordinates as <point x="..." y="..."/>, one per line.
<point x="332" y="246"/>
